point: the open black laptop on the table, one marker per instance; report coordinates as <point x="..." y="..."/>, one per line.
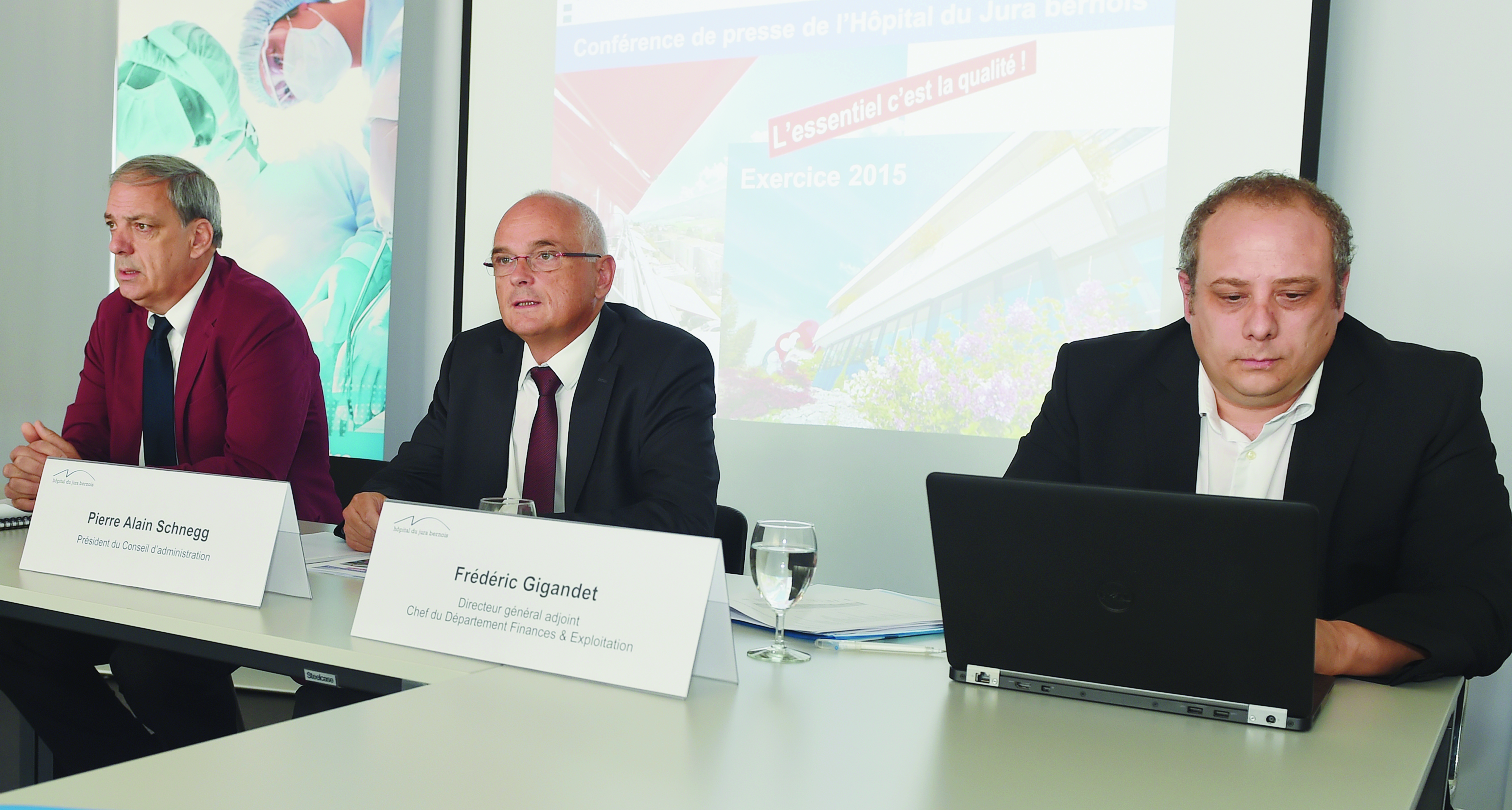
<point x="1183" y="604"/>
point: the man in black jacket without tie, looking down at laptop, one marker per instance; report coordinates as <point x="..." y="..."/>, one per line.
<point x="1393" y="450"/>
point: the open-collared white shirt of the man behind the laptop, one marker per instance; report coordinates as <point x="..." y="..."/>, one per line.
<point x="1233" y="465"/>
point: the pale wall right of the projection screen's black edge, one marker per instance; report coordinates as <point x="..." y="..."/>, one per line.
<point x="1416" y="111"/>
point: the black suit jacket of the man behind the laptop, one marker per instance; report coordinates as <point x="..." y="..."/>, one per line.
<point x="1396" y="457"/>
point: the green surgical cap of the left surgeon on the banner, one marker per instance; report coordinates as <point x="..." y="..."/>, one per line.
<point x="196" y="60"/>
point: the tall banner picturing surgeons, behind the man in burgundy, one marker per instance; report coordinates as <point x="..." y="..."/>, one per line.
<point x="294" y="111"/>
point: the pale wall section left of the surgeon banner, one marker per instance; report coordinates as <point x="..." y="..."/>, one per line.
<point x="51" y="206"/>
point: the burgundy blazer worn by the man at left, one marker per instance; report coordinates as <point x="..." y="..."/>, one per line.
<point x="247" y="401"/>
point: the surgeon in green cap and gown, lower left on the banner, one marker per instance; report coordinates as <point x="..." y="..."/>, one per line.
<point x="308" y="221"/>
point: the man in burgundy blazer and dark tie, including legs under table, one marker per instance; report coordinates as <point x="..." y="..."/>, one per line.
<point x="191" y="365"/>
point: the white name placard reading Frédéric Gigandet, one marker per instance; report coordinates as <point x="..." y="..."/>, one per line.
<point x="624" y="607"/>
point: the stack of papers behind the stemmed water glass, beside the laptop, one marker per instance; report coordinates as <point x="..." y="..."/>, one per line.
<point x="829" y="611"/>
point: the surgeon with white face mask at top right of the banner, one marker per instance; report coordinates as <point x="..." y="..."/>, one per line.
<point x="297" y="52"/>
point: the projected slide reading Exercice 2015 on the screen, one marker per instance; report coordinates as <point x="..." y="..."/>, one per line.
<point x="876" y="215"/>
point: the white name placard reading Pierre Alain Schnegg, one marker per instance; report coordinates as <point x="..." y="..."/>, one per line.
<point x="194" y="534"/>
